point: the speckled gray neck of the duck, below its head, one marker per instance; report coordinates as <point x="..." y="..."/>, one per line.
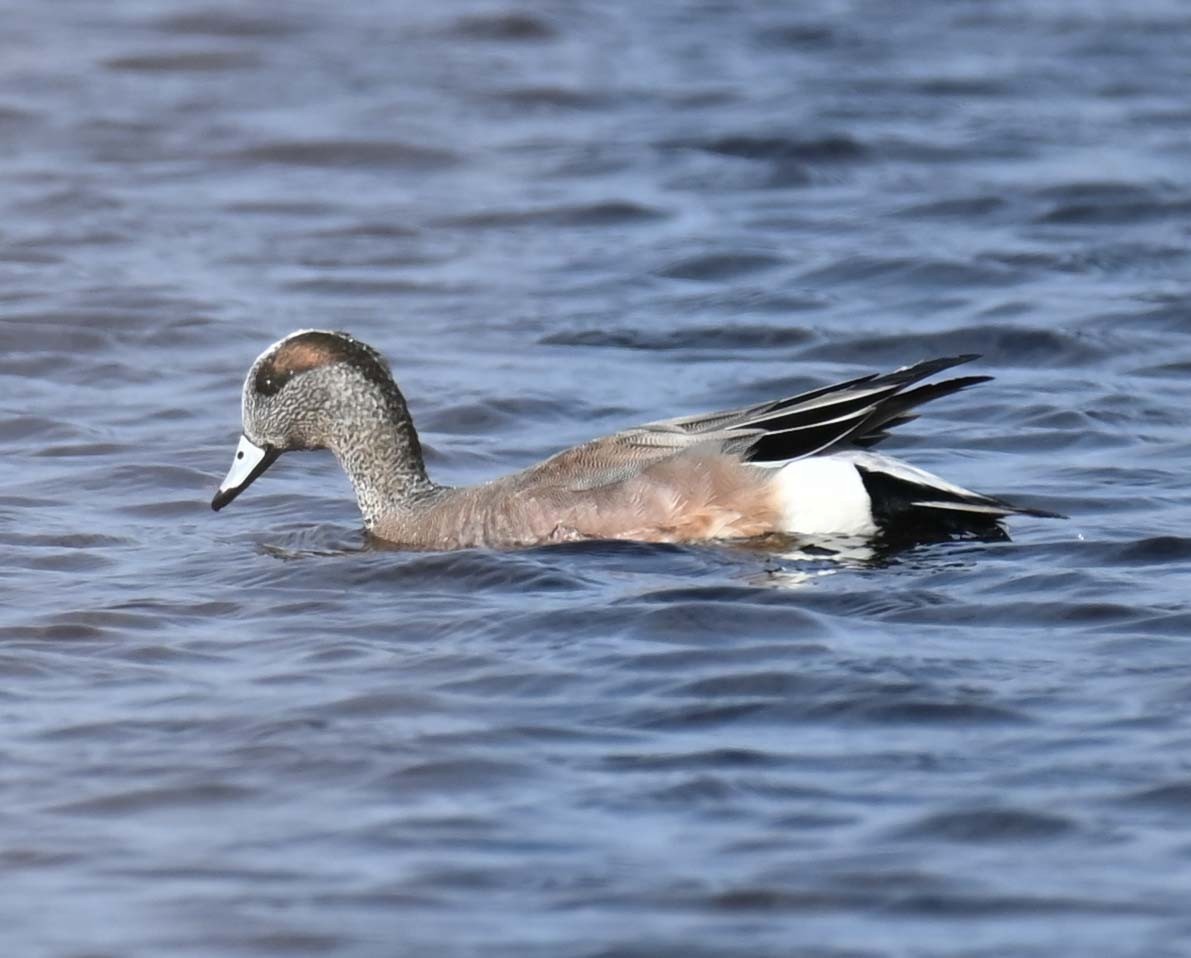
<point x="381" y="452"/>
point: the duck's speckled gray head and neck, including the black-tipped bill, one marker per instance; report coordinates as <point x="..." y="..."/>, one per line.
<point x="317" y="390"/>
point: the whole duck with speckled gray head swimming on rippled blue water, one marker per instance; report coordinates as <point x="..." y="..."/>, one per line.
<point x="803" y="466"/>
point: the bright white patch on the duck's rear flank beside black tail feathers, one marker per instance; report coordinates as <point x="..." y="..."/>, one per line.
<point x="824" y="495"/>
